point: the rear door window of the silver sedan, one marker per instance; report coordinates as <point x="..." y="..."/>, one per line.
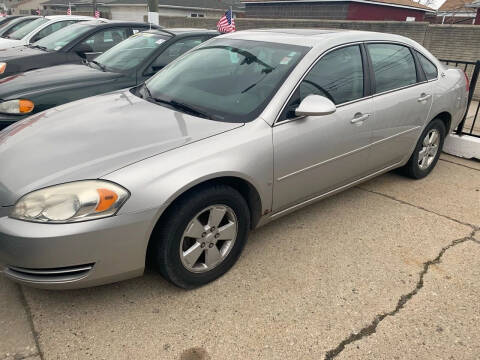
<point x="393" y="66"/>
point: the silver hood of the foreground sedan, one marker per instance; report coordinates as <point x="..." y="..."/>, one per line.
<point x="90" y="138"/>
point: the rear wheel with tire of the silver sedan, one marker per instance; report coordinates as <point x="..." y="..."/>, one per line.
<point x="419" y="166"/>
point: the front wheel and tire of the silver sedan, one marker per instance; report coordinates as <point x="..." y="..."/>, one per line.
<point x="205" y="205"/>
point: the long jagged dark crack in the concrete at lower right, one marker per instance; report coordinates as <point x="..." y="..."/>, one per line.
<point x="372" y="327"/>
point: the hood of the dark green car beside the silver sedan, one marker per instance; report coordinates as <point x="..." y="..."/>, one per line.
<point x="67" y="76"/>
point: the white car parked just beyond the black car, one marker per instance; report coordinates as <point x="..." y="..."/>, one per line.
<point x="40" y="28"/>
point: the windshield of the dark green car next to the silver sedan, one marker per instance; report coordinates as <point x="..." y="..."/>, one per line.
<point x="131" y="52"/>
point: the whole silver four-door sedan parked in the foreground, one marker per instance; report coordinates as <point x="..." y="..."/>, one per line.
<point x="237" y="132"/>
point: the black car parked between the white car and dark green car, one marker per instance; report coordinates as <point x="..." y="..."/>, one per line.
<point x="73" y="44"/>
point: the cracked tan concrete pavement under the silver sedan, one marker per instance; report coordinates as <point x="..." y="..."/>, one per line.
<point x="387" y="270"/>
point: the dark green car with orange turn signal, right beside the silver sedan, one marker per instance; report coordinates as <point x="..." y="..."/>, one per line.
<point x="125" y="65"/>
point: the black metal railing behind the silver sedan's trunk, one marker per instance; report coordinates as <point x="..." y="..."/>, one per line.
<point x="472" y="69"/>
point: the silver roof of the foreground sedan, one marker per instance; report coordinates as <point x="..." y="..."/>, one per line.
<point x="315" y="37"/>
